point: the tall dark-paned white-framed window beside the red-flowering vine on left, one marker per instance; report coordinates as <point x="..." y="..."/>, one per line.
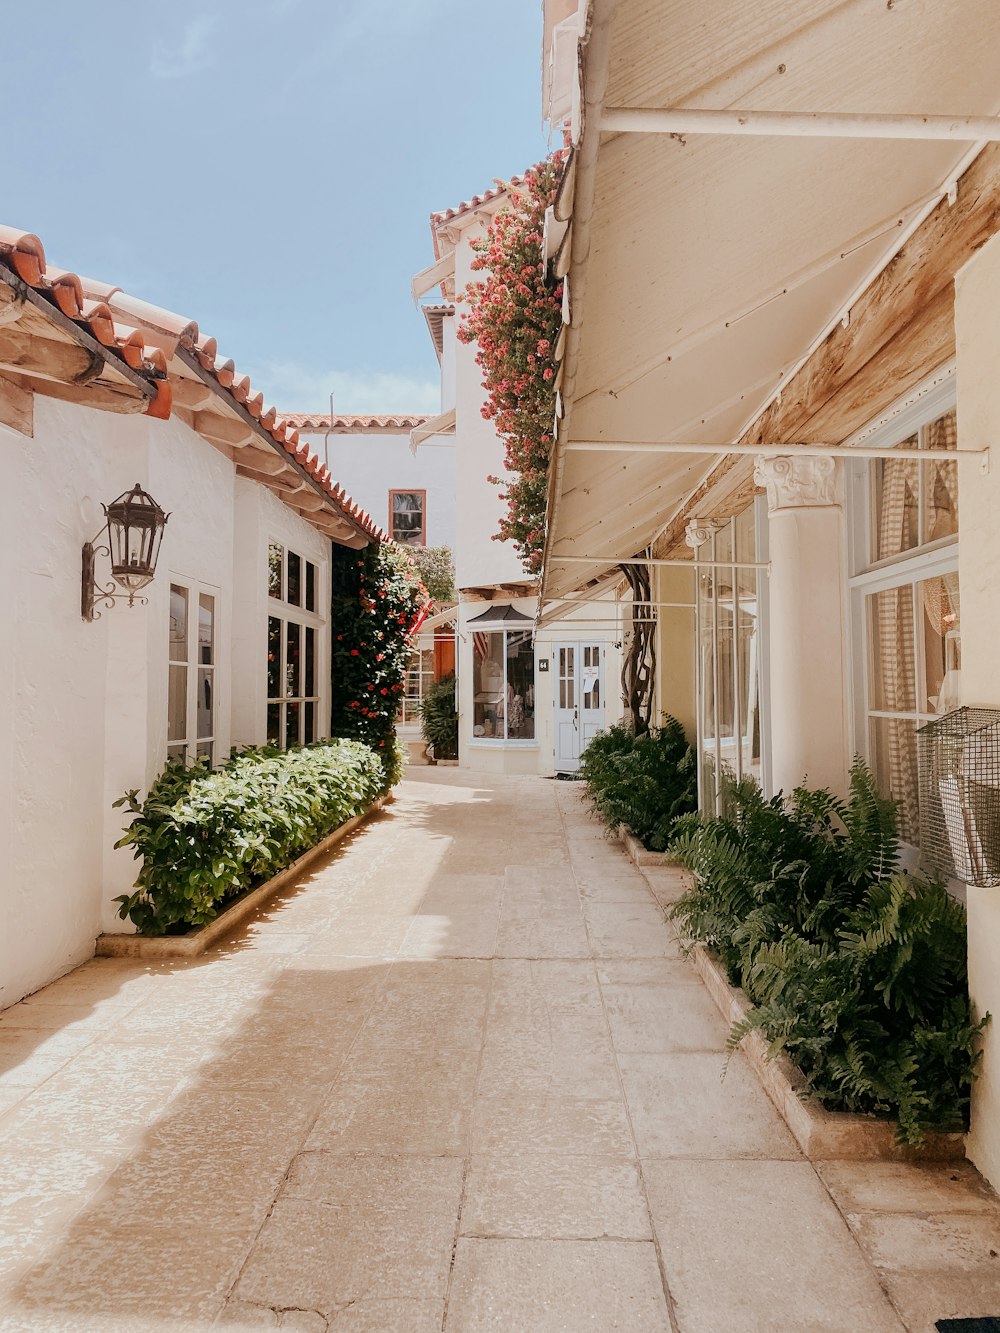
<point x="294" y="642"/>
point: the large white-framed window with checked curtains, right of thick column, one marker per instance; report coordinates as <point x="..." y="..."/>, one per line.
<point x="906" y="607"/>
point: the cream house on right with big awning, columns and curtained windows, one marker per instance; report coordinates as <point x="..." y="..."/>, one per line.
<point x="781" y="377"/>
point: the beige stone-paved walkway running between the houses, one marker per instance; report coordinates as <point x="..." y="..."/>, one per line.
<point x="459" y="1079"/>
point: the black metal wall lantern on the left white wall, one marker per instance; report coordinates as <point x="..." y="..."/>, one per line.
<point x="133" y="535"/>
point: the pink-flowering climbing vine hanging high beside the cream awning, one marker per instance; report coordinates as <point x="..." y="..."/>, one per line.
<point x="514" y="315"/>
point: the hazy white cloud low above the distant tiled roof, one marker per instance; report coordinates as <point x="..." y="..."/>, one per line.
<point x="297" y="389"/>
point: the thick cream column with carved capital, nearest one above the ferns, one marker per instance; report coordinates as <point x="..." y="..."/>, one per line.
<point x="807" y="623"/>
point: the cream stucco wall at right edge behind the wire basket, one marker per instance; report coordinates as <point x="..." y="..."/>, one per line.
<point x="978" y="330"/>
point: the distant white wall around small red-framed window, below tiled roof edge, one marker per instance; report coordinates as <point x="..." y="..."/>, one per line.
<point x="369" y="466"/>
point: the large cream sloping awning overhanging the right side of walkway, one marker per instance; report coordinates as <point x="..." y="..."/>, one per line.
<point x="706" y="267"/>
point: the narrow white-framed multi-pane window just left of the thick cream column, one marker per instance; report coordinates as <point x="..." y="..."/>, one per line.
<point x="730" y="658"/>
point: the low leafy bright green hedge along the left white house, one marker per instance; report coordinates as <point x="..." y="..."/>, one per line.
<point x="206" y="835"/>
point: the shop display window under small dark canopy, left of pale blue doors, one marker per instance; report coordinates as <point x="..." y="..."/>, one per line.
<point x="503" y="666"/>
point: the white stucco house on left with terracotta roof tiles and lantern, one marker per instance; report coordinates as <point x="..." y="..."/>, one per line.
<point x="101" y="393"/>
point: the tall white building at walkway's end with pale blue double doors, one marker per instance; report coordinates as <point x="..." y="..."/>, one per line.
<point x="530" y="695"/>
